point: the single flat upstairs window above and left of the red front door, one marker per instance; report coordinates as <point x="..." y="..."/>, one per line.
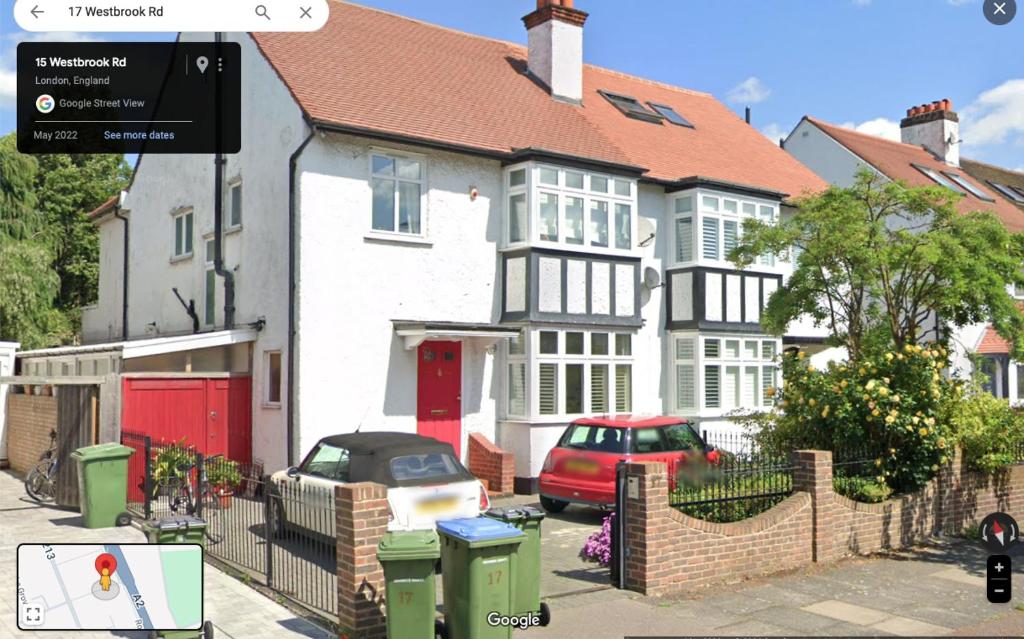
<point x="398" y="187"/>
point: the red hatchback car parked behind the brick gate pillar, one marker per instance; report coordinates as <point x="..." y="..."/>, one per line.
<point x="581" y="470"/>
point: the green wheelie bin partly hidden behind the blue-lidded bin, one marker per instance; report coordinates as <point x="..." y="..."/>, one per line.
<point x="527" y="598"/>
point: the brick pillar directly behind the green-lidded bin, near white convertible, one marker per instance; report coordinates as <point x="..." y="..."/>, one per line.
<point x="362" y="521"/>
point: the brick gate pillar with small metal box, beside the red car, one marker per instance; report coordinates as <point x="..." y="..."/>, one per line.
<point x="647" y="520"/>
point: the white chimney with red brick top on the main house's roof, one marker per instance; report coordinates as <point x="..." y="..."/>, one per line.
<point x="556" y="39"/>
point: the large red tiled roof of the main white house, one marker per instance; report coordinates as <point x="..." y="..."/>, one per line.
<point x="370" y="70"/>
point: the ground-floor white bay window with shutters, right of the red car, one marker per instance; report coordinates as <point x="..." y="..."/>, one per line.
<point x="723" y="361"/>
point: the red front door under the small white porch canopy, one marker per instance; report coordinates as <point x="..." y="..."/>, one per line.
<point x="440" y="393"/>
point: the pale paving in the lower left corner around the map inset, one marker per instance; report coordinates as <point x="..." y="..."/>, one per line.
<point x="237" y="611"/>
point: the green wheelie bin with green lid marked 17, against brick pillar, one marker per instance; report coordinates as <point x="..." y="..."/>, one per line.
<point x="411" y="591"/>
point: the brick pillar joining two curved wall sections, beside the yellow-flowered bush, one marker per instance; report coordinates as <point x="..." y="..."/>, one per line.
<point x="815" y="476"/>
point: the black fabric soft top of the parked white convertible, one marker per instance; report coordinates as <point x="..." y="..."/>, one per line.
<point x="371" y="455"/>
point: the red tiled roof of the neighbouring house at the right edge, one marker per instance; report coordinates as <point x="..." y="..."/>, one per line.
<point x="897" y="161"/>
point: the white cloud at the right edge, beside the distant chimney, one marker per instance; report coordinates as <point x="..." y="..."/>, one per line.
<point x="995" y="116"/>
